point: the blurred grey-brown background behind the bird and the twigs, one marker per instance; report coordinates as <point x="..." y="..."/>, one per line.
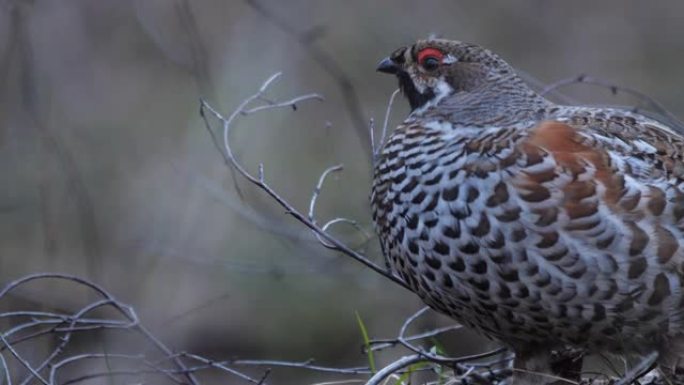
<point x="108" y="172"/>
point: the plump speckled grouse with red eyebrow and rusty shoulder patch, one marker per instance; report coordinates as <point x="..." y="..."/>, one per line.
<point x="546" y="227"/>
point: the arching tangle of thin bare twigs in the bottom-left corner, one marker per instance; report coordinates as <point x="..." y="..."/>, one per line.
<point x="27" y="326"/>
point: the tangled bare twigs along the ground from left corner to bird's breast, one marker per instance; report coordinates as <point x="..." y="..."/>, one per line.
<point x="150" y="358"/>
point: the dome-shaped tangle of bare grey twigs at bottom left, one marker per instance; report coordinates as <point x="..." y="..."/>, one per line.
<point x="65" y="326"/>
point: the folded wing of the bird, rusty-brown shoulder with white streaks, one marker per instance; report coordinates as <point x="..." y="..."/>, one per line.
<point x="606" y="198"/>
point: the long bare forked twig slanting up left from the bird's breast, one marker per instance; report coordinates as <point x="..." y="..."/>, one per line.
<point x="260" y="182"/>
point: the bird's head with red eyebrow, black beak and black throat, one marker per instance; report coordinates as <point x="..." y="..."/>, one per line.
<point x="431" y="70"/>
